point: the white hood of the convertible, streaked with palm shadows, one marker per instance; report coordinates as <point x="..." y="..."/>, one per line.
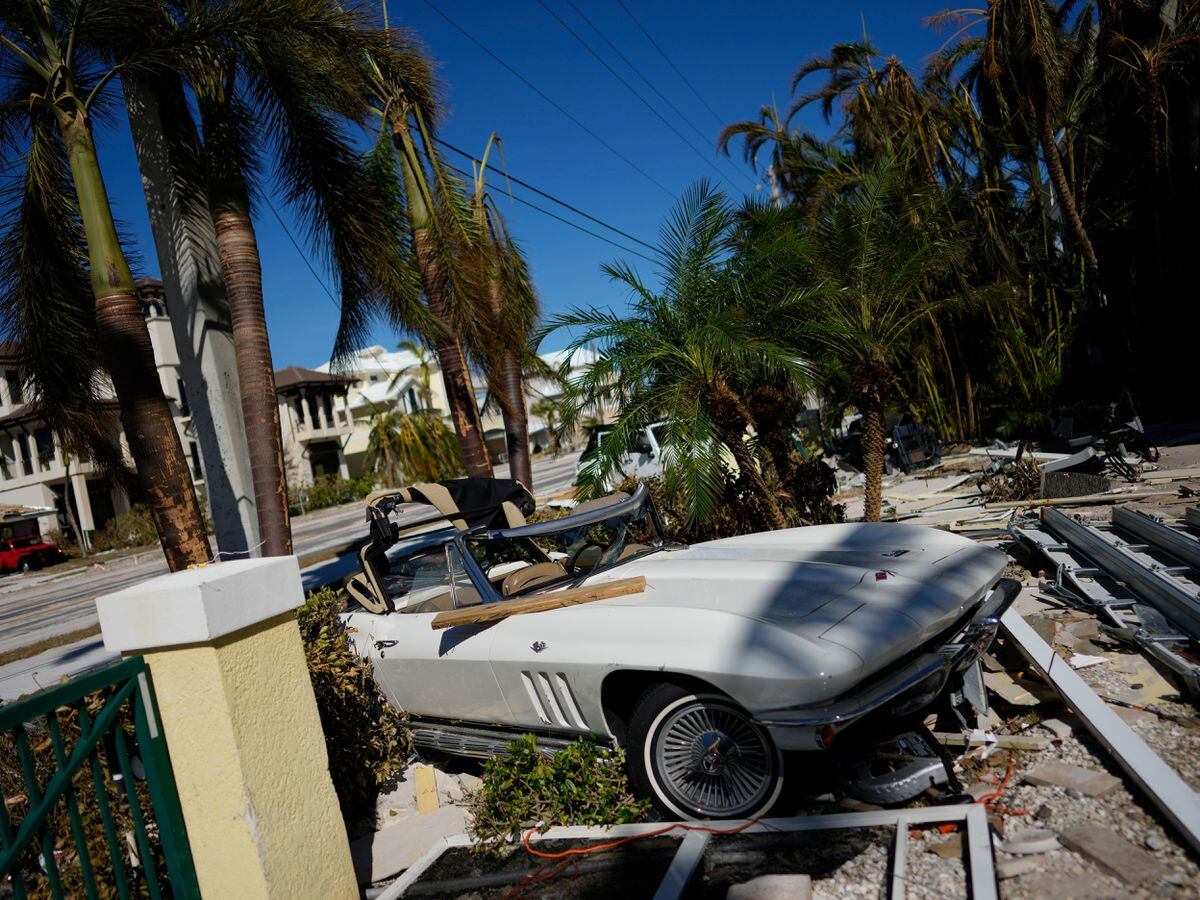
<point x="878" y="590"/>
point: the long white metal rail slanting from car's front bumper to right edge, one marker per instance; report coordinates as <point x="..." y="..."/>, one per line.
<point x="1178" y="802"/>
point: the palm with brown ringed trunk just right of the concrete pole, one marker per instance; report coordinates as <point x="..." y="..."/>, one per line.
<point x="293" y="68"/>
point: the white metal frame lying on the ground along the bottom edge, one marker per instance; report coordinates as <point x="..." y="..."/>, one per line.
<point x="981" y="872"/>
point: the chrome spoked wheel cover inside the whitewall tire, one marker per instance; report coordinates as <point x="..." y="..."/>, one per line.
<point x="715" y="760"/>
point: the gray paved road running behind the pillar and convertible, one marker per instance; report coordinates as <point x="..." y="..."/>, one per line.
<point x="38" y="607"/>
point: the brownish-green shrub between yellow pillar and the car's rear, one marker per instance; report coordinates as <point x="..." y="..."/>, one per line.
<point x="367" y="739"/>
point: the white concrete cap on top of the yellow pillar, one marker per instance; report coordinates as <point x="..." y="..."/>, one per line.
<point x="199" y="605"/>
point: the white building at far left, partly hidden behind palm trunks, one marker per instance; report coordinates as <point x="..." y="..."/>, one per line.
<point x="34" y="470"/>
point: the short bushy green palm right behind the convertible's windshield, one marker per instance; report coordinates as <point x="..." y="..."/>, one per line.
<point x="691" y="355"/>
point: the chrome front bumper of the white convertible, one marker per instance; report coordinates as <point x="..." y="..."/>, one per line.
<point x="905" y="689"/>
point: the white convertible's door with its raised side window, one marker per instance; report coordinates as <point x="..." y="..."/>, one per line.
<point x="434" y="673"/>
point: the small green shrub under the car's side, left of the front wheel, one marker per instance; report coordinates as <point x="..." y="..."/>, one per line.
<point x="583" y="784"/>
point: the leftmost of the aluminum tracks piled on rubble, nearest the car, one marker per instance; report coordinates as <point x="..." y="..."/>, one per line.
<point x="1121" y="613"/>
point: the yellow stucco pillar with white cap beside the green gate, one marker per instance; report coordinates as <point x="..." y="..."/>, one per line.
<point x="242" y="727"/>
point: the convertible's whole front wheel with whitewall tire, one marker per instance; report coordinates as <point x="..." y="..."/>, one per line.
<point x="700" y="755"/>
